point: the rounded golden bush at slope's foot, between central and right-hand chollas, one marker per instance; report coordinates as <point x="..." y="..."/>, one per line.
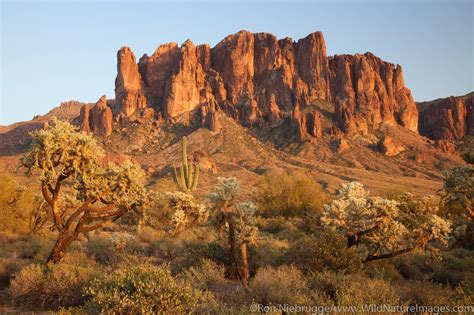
<point x="290" y="195"/>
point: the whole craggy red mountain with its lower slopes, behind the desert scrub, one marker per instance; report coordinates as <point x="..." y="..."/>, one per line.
<point x="255" y="104"/>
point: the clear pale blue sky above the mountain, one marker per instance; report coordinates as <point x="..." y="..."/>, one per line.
<point x="53" y="51"/>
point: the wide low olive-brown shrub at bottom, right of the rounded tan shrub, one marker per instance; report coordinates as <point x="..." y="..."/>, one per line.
<point x="353" y="289"/>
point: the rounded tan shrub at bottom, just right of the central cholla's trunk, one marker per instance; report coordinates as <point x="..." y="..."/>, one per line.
<point x="281" y="285"/>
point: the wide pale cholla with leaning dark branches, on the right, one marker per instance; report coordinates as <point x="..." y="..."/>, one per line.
<point x="384" y="228"/>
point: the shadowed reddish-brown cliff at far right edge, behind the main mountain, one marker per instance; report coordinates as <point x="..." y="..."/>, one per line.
<point x="449" y="118"/>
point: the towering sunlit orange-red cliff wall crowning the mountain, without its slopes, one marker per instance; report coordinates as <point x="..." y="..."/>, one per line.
<point x="258" y="80"/>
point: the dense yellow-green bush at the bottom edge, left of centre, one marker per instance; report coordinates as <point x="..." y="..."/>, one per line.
<point x="142" y="288"/>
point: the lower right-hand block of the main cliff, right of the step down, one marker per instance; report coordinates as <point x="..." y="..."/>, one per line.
<point x="368" y="91"/>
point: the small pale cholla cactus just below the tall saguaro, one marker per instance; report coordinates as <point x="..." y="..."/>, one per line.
<point x="187" y="211"/>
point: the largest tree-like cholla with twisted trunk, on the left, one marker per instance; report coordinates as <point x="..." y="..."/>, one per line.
<point x="79" y="192"/>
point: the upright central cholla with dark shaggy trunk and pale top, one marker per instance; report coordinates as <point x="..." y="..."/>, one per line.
<point x="236" y="219"/>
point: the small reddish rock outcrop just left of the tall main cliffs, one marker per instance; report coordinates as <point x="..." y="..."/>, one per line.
<point x="97" y="118"/>
